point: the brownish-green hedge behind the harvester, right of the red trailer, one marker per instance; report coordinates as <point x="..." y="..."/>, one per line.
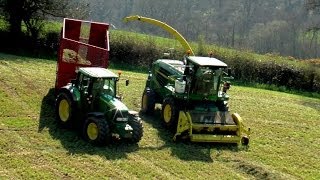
<point x="272" y="70"/>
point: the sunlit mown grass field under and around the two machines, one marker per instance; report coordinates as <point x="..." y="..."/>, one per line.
<point x="284" y="144"/>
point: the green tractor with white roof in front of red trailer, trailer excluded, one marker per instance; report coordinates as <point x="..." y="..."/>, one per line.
<point x="90" y="102"/>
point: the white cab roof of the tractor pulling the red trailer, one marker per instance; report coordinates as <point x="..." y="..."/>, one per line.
<point x="97" y="72"/>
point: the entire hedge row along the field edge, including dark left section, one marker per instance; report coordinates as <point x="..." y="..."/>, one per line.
<point x="138" y="51"/>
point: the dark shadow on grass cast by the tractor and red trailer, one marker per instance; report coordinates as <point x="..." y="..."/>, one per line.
<point x="71" y="139"/>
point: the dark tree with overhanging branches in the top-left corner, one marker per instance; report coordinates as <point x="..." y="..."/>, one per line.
<point x="33" y="12"/>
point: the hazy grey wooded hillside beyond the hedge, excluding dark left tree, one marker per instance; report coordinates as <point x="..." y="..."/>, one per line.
<point x="285" y="27"/>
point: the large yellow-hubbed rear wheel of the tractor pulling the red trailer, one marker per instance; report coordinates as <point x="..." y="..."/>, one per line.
<point x="65" y="110"/>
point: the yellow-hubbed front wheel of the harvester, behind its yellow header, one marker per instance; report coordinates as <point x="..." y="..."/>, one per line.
<point x="169" y="113"/>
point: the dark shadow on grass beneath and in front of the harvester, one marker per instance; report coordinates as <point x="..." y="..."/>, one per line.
<point x="184" y="149"/>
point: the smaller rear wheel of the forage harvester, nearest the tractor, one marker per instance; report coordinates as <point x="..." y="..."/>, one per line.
<point x="148" y="102"/>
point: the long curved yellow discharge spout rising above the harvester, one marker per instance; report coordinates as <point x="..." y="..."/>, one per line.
<point x="166" y="27"/>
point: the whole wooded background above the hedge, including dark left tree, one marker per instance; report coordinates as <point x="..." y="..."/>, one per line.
<point x="285" y="27"/>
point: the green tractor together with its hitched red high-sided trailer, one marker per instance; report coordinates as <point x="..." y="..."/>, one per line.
<point x="86" y="92"/>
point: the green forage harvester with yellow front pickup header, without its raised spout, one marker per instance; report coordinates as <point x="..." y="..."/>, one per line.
<point x="194" y="99"/>
